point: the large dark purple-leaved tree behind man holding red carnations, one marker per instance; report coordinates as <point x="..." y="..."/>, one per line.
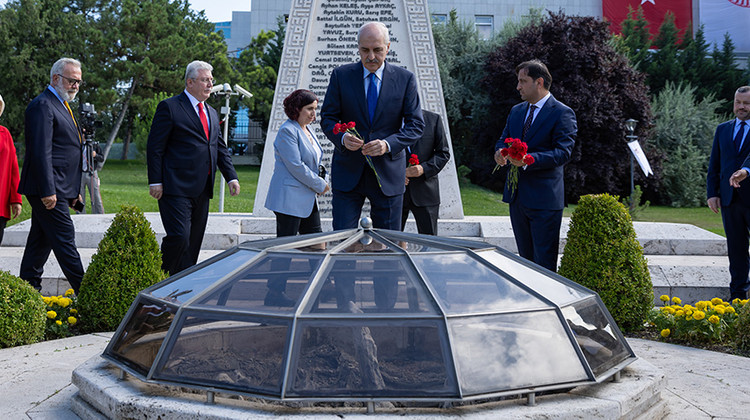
<point x="591" y="77"/>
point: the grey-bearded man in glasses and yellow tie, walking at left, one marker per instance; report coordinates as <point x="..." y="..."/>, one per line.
<point x="51" y="176"/>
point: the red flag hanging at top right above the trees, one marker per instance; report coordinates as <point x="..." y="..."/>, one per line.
<point x="615" y="11"/>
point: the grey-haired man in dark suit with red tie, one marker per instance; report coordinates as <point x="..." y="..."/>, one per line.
<point x="183" y="151"/>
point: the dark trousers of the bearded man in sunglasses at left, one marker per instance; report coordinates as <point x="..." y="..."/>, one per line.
<point x="51" y="230"/>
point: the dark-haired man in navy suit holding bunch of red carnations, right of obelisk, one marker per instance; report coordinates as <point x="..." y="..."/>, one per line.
<point x="549" y="128"/>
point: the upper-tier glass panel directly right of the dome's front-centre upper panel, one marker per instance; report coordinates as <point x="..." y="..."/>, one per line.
<point x="464" y="285"/>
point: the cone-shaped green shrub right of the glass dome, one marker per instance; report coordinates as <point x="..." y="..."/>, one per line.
<point x="602" y="253"/>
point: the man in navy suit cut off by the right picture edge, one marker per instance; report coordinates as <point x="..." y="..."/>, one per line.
<point x="728" y="166"/>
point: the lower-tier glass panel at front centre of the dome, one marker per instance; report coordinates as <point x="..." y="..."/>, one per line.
<point x="358" y="359"/>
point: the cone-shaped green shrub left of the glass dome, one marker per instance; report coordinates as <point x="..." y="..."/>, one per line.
<point x="127" y="261"/>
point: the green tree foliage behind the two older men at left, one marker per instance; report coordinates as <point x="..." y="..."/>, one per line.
<point x="130" y="50"/>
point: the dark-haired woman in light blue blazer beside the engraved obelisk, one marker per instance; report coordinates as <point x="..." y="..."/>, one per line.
<point x="296" y="181"/>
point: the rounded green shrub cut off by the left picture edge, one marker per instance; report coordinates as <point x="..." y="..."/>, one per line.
<point x="22" y="312"/>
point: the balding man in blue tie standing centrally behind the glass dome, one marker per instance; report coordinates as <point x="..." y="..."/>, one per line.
<point x="382" y="100"/>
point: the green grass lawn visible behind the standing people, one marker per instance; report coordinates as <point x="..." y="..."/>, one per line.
<point x="125" y="182"/>
